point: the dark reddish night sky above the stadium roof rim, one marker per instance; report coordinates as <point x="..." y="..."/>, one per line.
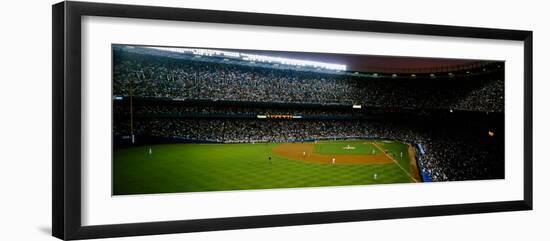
<point x="372" y="63"/>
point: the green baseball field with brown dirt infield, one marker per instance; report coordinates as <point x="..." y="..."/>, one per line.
<point x="216" y="167"/>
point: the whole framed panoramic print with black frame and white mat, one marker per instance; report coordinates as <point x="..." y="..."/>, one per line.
<point x="170" y="120"/>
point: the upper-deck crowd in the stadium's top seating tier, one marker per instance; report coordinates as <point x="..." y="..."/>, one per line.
<point x="153" y="76"/>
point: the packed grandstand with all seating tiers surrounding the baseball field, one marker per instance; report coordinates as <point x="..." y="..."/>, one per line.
<point x="455" y="120"/>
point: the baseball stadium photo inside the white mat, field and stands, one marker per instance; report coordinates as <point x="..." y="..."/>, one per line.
<point x="197" y="119"/>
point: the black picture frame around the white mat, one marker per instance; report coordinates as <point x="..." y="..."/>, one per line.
<point x="66" y="128"/>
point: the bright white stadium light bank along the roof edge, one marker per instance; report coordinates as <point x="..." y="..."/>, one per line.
<point x="254" y="58"/>
